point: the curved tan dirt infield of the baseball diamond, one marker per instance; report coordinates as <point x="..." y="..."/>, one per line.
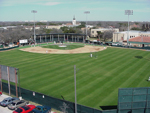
<point x="85" y="49"/>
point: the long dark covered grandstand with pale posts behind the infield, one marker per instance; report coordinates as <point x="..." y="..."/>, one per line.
<point x="60" y="37"/>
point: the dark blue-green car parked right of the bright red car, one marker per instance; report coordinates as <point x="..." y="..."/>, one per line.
<point x="41" y="109"/>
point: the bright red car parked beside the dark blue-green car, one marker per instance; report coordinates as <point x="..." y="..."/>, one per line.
<point x="25" y="109"/>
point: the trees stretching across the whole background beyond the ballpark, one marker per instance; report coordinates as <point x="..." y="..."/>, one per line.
<point x="18" y="33"/>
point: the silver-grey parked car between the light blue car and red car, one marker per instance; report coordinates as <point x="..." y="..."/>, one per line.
<point x="17" y="103"/>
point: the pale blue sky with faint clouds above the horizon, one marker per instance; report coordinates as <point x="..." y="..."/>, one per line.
<point x="65" y="10"/>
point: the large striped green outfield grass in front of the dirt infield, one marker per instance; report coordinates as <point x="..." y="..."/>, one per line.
<point x="98" y="79"/>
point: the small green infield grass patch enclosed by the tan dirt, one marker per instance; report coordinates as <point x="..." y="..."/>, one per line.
<point x="68" y="47"/>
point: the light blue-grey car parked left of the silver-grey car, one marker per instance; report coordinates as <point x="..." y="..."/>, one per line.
<point x="7" y="101"/>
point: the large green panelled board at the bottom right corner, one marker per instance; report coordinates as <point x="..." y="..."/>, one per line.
<point x="134" y="100"/>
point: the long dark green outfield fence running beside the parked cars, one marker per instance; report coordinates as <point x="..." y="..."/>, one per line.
<point x="51" y="101"/>
